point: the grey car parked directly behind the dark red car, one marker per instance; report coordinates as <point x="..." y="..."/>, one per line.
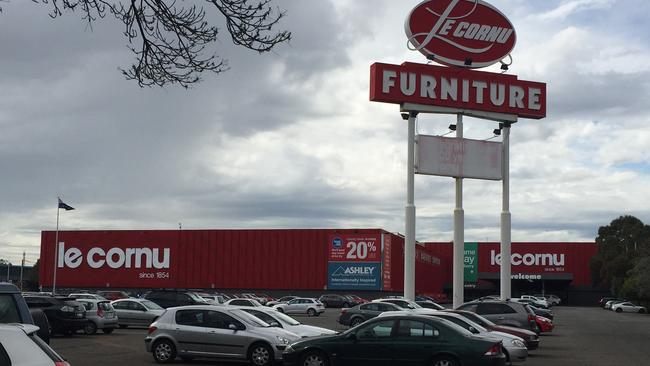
<point x="504" y="313"/>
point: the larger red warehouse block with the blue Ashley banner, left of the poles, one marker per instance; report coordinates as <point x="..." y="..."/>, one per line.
<point x="310" y="259"/>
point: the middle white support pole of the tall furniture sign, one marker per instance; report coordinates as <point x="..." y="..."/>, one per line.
<point x="459" y="230"/>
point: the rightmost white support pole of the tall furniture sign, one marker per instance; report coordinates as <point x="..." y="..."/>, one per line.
<point x="506" y="221"/>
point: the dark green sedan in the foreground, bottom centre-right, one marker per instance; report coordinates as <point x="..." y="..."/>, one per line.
<point x="398" y="341"/>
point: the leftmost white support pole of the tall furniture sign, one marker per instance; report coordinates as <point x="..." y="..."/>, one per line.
<point x="409" y="239"/>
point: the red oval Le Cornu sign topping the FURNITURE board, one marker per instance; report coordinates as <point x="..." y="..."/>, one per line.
<point x="466" y="33"/>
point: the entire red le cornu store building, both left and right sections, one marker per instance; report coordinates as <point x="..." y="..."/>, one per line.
<point x="309" y="260"/>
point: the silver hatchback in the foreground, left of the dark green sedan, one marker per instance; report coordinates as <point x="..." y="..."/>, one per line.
<point x="215" y="332"/>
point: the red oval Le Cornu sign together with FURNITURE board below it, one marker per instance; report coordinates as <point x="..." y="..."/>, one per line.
<point x="463" y="35"/>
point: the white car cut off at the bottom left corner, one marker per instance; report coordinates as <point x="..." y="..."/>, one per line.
<point x="20" y="346"/>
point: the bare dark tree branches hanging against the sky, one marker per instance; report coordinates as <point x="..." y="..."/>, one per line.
<point x="171" y="39"/>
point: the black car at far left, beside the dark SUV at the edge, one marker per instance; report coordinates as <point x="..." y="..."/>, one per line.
<point x="66" y="316"/>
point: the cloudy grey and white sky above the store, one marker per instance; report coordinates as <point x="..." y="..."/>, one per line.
<point x="289" y="139"/>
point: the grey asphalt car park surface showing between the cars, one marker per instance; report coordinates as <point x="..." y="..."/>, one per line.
<point x="582" y="336"/>
